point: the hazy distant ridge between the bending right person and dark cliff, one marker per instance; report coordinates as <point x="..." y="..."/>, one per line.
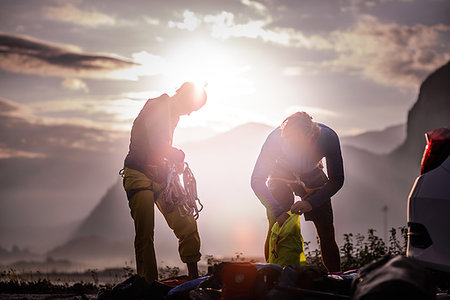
<point x="378" y="142"/>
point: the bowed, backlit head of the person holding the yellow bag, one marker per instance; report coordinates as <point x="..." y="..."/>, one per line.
<point x="299" y="129"/>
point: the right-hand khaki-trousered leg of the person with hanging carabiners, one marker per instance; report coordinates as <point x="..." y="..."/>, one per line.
<point x="185" y="229"/>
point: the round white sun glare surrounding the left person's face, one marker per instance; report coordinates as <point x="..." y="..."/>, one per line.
<point x="225" y="73"/>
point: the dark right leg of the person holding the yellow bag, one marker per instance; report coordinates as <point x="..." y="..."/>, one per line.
<point x="323" y="221"/>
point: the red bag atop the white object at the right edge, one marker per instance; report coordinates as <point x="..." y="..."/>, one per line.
<point x="436" y="150"/>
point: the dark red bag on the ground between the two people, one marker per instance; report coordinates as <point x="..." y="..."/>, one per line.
<point x="238" y="281"/>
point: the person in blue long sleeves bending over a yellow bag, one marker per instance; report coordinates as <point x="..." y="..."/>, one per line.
<point x="290" y="163"/>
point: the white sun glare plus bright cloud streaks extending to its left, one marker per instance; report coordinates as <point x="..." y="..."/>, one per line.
<point x="223" y="70"/>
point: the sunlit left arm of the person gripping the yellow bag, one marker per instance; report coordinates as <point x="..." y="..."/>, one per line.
<point x="263" y="167"/>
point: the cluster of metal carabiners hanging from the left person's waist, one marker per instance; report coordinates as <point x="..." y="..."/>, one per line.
<point x="185" y="196"/>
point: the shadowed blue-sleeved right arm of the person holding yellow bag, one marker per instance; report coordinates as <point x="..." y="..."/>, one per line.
<point x="335" y="170"/>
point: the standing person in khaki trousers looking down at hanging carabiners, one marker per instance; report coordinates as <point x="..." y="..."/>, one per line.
<point x="146" y="169"/>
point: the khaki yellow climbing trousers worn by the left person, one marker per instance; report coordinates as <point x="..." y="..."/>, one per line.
<point x="142" y="210"/>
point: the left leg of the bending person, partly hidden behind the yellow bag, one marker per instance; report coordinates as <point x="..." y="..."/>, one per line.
<point x="284" y="195"/>
